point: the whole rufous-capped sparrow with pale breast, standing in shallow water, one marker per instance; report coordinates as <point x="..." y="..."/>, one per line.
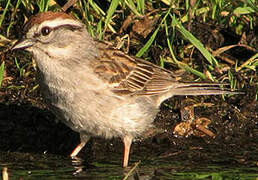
<point x="95" y="89"/>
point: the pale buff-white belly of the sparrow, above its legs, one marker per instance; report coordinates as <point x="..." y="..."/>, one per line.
<point x="103" y="115"/>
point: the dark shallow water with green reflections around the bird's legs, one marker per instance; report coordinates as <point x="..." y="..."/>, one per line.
<point x="47" y="166"/>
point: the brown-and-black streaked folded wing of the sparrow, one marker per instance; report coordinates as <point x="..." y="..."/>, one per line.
<point x="130" y="75"/>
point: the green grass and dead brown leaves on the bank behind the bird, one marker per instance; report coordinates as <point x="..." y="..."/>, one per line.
<point x="214" y="40"/>
